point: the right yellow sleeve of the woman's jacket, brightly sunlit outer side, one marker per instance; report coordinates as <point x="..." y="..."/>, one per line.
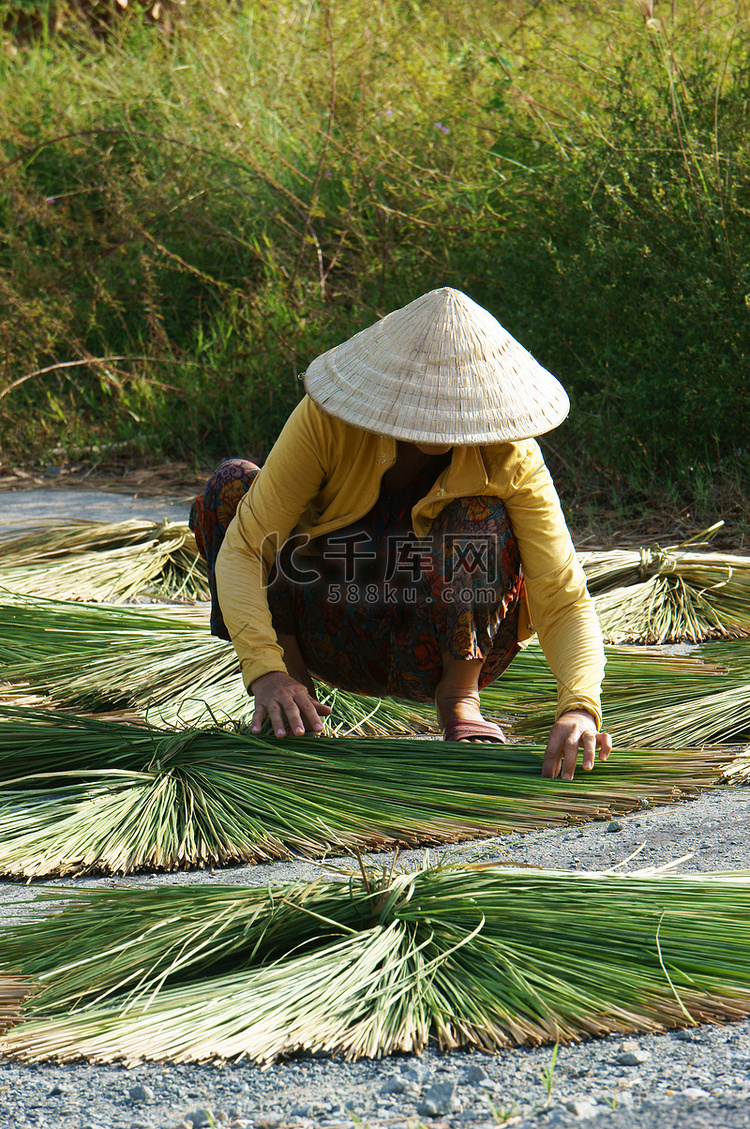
<point x="562" y="610"/>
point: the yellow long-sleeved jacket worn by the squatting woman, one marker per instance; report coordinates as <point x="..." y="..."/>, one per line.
<point x="324" y="475"/>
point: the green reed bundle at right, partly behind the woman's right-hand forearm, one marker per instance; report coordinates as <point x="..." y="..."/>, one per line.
<point x="650" y="699"/>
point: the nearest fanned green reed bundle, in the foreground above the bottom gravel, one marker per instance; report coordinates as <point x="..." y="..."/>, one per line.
<point x="376" y="965"/>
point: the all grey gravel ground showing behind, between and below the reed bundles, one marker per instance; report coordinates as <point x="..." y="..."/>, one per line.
<point x="687" y="1080"/>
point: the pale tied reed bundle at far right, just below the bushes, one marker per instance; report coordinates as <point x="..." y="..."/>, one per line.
<point x="670" y="596"/>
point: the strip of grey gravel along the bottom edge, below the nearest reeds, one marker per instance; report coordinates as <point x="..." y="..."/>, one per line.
<point x="702" y="1080"/>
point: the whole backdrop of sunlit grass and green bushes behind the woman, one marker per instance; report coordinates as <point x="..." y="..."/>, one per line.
<point x="199" y="198"/>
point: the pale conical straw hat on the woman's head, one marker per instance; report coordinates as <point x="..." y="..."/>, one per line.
<point x="440" y="371"/>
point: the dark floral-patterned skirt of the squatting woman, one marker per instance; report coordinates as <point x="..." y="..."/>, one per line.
<point x="374" y="608"/>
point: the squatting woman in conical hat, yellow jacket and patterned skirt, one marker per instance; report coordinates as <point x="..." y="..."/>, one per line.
<point x="405" y="535"/>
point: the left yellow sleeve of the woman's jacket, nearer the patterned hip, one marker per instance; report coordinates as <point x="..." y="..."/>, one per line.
<point x="291" y="478"/>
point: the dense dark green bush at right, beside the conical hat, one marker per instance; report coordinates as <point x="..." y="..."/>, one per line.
<point x="629" y="273"/>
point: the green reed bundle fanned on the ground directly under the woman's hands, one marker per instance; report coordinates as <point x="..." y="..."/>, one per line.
<point x="80" y="795"/>
